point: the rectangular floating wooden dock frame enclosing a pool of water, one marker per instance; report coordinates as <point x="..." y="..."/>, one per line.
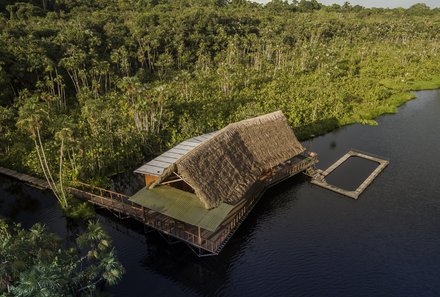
<point x="318" y="177"/>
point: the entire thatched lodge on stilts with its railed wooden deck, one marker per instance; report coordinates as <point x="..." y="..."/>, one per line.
<point x="201" y="190"/>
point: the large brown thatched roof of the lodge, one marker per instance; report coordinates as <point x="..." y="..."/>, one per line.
<point x="224" y="168"/>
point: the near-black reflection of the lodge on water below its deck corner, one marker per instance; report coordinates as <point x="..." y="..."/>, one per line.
<point x="171" y="261"/>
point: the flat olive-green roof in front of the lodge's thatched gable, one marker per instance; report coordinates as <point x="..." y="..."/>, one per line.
<point x="182" y="206"/>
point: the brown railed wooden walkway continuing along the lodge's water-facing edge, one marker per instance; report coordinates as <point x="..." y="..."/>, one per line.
<point x="203" y="242"/>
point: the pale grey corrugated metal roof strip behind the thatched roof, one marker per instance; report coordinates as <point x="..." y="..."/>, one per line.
<point x="156" y="166"/>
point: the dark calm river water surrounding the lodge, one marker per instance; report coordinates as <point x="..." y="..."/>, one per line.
<point x="301" y="240"/>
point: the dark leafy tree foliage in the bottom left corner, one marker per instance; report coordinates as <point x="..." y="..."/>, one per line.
<point x="35" y="262"/>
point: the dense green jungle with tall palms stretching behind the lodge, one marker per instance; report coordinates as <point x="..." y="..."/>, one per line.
<point x="89" y="88"/>
